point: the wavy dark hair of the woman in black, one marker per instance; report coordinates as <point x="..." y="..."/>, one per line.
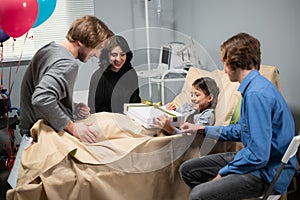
<point x="113" y="42"/>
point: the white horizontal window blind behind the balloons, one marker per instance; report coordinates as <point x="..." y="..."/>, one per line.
<point x="53" y="29"/>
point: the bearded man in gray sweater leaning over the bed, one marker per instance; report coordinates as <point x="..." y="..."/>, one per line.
<point x="47" y="86"/>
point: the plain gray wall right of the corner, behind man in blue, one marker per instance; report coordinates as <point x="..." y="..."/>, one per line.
<point x="274" y="22"/>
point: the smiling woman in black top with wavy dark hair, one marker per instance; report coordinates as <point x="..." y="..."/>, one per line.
<point x="116" y="81"/>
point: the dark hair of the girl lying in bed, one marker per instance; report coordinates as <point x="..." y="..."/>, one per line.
<point x="209" y="87"/>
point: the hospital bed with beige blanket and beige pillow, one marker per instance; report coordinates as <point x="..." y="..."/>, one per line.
<point x="128" y="162"/>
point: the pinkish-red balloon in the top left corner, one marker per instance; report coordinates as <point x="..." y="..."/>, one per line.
<point x="17" y="16"/>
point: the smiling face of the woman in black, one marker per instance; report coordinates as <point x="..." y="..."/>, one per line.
<point x="117" y="58"/>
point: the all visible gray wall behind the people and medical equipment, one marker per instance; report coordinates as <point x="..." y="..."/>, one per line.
<point x="210" y="22"/>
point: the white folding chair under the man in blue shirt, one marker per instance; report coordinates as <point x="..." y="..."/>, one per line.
<point x="290" y="152"/>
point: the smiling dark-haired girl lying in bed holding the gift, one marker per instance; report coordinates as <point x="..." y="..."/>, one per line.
<point x="204" y="97"/>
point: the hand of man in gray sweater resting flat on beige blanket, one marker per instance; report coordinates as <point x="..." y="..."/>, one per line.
<point x="85" y="133"/>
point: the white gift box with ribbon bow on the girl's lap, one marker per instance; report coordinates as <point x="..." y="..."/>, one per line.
<point x="144" y="114"/>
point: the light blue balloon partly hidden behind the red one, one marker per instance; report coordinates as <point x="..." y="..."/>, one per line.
<point x="46" y="8"/>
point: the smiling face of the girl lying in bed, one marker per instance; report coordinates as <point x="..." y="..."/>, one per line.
<point x="200" y="101"/>
